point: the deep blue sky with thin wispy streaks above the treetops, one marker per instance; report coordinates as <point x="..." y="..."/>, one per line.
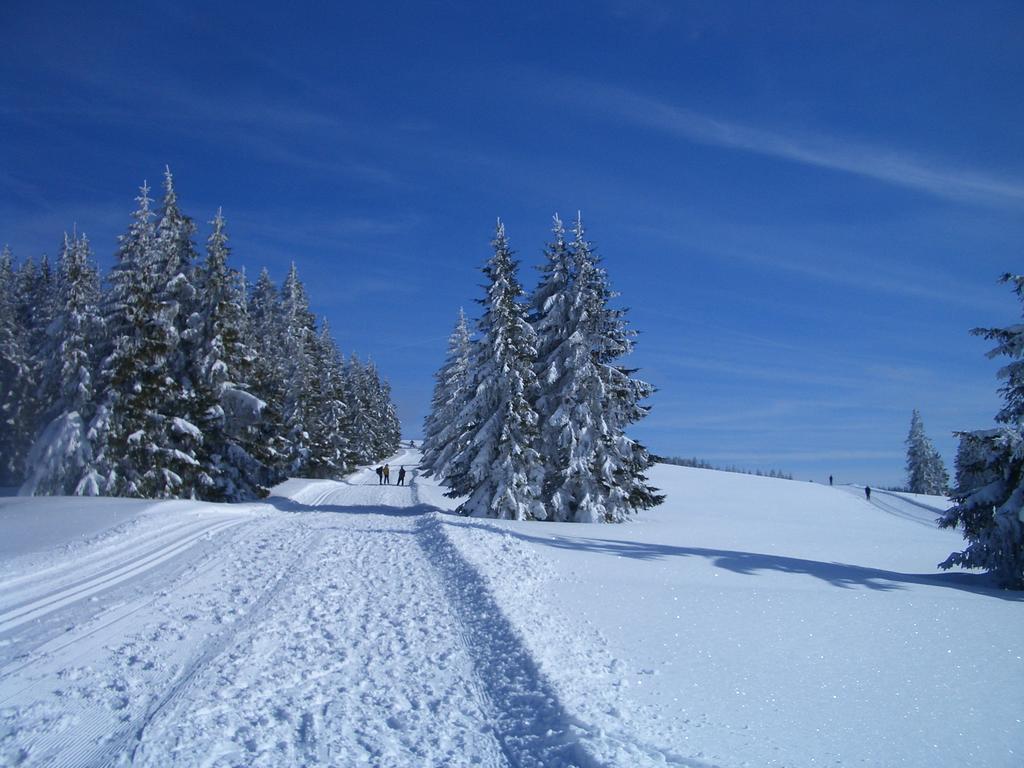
<point x="806" y="206"/>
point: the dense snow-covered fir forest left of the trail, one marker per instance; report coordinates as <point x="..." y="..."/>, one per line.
<point x="175" y="377"/>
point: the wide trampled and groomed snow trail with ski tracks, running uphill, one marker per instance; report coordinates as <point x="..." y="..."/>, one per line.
<point x="352" y="632"/>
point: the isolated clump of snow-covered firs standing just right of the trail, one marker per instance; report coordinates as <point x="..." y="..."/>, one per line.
<point x="529" y="417"/>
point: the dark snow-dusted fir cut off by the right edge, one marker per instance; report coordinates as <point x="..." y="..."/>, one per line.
<point x="991" y="506"/>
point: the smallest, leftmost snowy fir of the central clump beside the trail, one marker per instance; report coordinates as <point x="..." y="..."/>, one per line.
<point x="442" y="429"/>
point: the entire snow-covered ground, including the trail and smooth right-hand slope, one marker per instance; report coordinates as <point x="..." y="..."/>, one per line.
<point x="747" y="622"/>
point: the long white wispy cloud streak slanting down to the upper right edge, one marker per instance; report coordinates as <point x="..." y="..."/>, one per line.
<point x="882" y="164"/>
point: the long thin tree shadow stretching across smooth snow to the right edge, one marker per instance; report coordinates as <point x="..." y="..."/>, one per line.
<point x="839" y="575"/>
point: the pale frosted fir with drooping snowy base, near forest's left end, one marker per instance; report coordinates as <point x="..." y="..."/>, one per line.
<point x="62" y="460"/>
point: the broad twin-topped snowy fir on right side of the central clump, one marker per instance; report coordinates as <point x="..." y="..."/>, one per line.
<point x="595" y="474"/>
